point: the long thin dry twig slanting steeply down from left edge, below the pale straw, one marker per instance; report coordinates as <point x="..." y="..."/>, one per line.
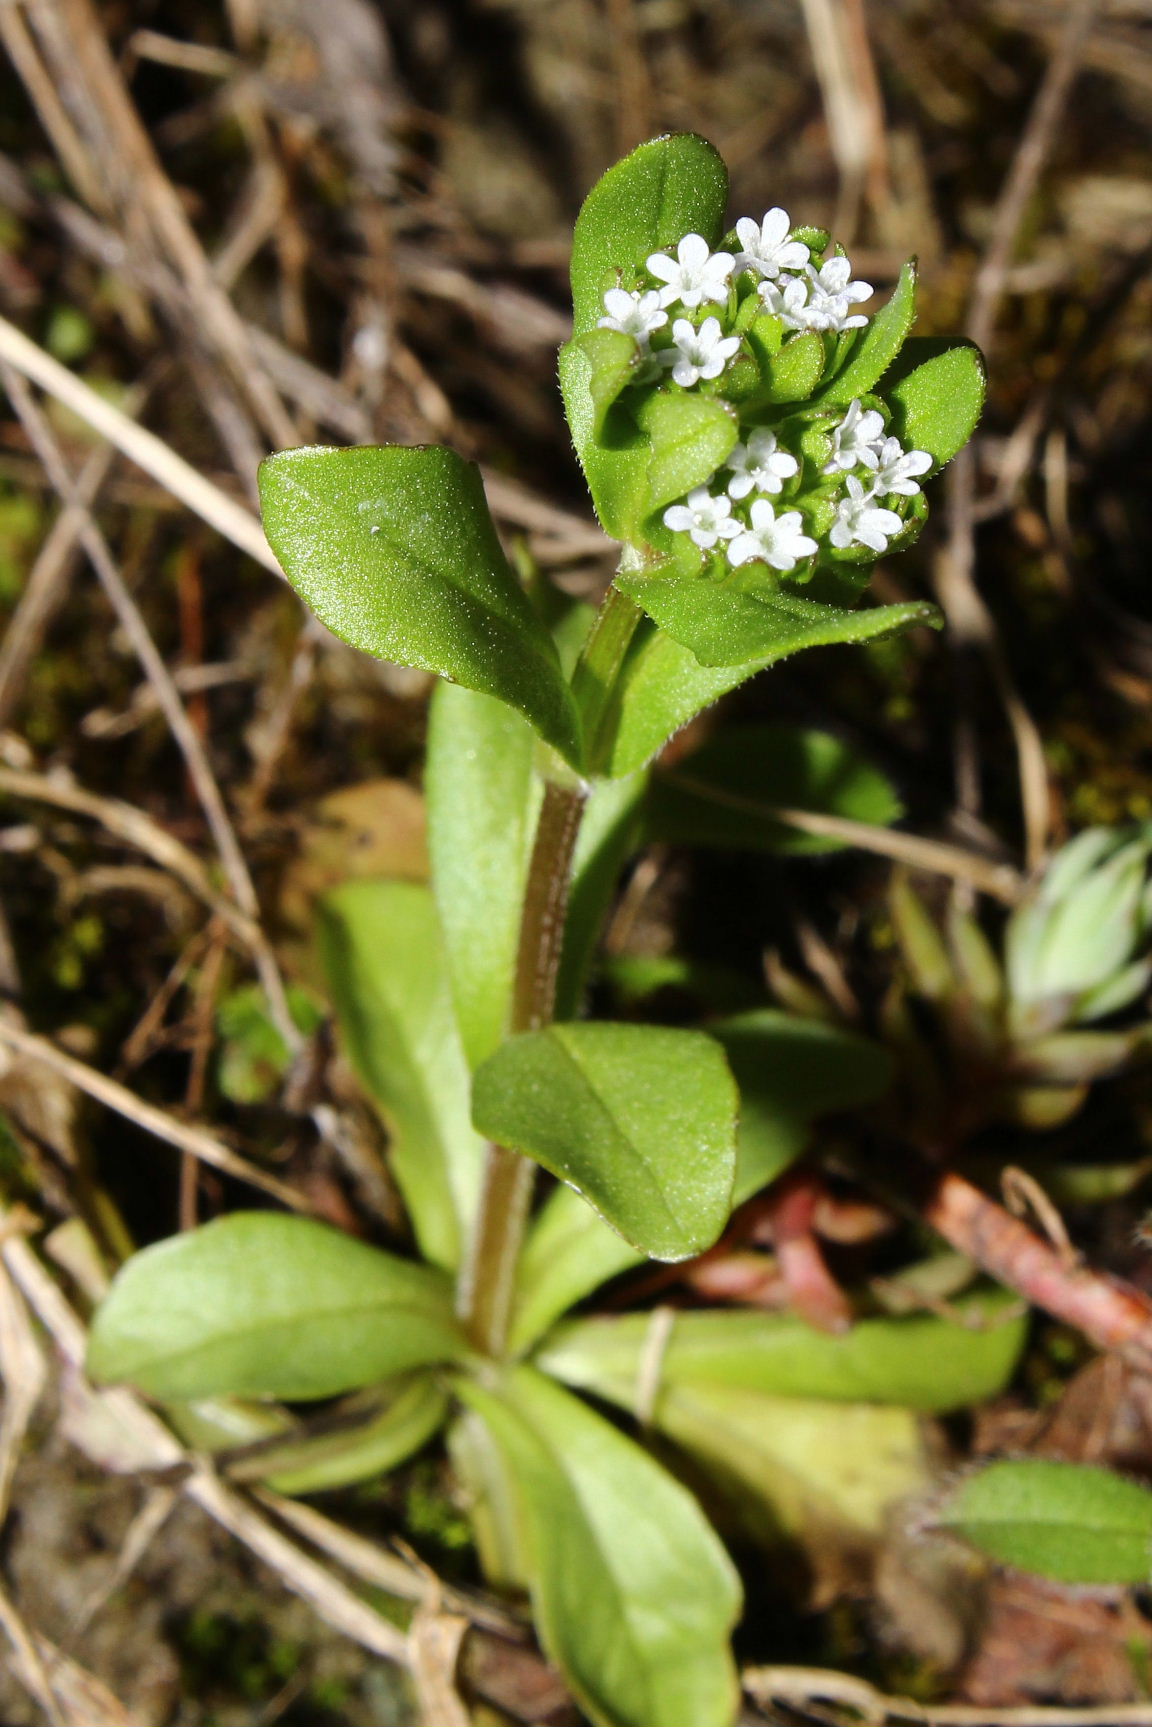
<point x="191" y="747"/>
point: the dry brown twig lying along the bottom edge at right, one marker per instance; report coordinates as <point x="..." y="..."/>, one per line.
<point x="802" y="1685"/>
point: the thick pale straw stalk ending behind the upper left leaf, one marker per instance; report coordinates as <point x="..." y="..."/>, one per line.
<point x="141" y="446"/>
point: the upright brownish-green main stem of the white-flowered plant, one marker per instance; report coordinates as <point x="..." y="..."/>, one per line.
<point x="490" y="1275"/>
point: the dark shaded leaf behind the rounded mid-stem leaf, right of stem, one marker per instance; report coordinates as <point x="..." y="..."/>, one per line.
<point x="792" y="1072"/>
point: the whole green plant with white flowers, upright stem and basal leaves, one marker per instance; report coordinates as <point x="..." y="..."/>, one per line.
<point x="754" y="443"/>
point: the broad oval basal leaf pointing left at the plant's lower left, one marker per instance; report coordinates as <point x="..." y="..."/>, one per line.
<point x="263" y="1305"/>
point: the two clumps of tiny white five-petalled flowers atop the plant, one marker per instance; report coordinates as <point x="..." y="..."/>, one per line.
<point x="690" y="320"/>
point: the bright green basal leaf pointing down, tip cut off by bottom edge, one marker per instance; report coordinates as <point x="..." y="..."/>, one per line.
<point x="633" y="1593"/>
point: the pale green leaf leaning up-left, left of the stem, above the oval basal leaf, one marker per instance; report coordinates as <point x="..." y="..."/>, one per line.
<point x="388" y="973"/>
